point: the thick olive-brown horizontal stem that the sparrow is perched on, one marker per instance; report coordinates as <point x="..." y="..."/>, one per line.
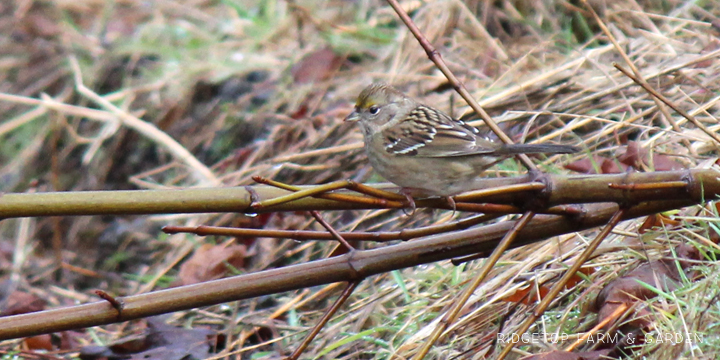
<point x="560" y="190"/>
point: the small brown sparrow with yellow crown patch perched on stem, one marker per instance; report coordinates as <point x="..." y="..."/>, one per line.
<point x="424" y="150"/>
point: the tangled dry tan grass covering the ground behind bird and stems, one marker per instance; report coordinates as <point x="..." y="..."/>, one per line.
<point x="223" y="80"/>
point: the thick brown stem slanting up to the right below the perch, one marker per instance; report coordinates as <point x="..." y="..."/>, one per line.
<point x="348" y="267"/>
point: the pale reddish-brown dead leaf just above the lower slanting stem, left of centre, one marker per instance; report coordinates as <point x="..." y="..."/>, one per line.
<point x="211" y="262"/>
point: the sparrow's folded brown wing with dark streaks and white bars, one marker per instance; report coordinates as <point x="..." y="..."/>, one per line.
<point x="430" y="133"/>
